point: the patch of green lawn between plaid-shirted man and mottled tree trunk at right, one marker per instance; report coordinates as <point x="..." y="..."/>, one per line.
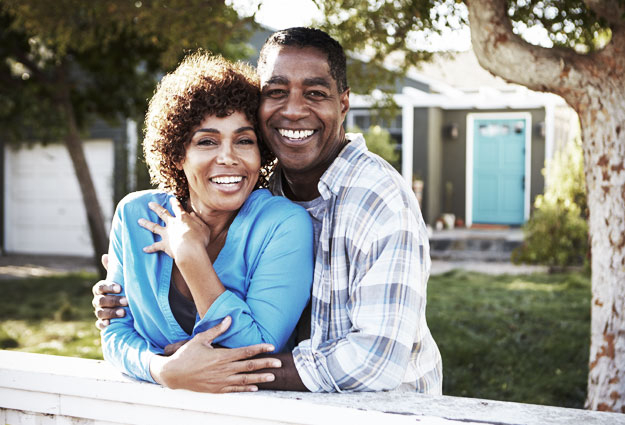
<point x="515" y="338"/>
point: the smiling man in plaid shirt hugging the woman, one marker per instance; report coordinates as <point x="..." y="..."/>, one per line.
<point x="368" y="330"/>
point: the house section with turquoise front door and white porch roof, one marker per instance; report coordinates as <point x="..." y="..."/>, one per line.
<point x="477" y="143"/>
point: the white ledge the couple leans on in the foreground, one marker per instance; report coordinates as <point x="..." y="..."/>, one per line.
<point x="42" y="389"/>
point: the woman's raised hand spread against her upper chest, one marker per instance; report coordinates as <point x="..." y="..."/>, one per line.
<point x="184" y="232"/>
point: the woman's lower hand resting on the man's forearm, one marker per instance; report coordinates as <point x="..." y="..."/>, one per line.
<point x="197" y="366"/>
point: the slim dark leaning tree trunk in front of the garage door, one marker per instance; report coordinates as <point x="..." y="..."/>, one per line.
<point x="73" y="142"/>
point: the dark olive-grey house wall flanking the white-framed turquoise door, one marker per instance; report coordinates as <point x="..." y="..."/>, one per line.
<point x="454" y="155"/>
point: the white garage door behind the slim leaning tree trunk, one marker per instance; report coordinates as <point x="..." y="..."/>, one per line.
<point x="44" y="212"/>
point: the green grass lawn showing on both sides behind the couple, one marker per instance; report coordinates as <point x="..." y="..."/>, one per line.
<point x="515" y="338"/>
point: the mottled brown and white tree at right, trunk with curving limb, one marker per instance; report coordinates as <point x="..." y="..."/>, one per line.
<point x="594" y="86"/>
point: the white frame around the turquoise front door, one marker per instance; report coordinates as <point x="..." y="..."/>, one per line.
<point x="471" y="118"/>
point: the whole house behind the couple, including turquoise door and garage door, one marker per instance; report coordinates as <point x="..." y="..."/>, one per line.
<point x="477" y="144"/>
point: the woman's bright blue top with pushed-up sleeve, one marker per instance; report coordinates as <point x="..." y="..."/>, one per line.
<point x="266" y="266"/>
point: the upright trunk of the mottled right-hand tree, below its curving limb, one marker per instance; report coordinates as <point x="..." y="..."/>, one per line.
<point x="603" y="132"/>
